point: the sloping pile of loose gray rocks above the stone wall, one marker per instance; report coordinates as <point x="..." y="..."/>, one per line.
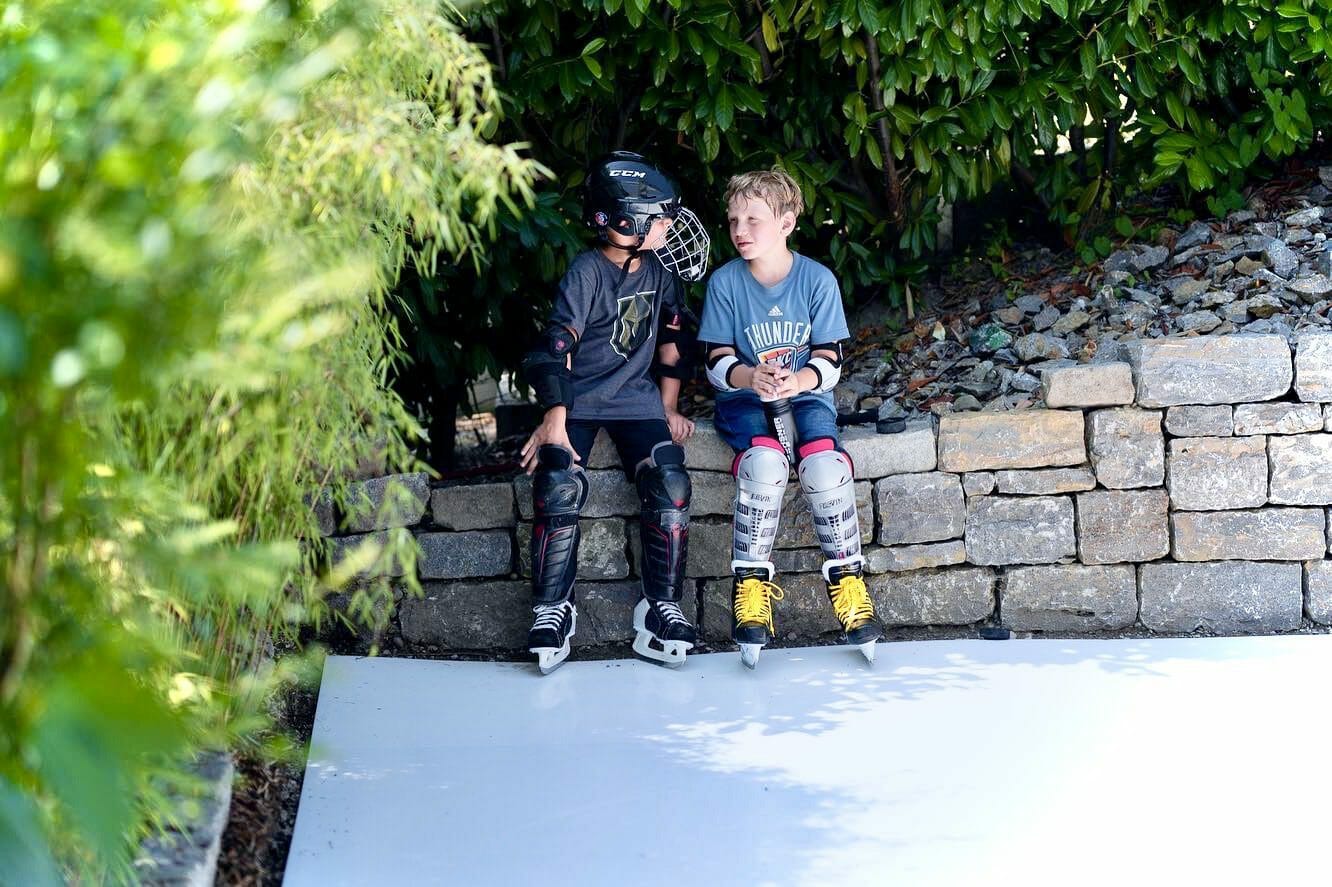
<point x="1258" y="271"/>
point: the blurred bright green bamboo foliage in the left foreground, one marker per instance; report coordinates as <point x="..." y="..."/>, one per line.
<point x="203" y="208"/>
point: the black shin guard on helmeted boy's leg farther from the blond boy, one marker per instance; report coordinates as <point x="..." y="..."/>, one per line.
<point x="559" y="492"/>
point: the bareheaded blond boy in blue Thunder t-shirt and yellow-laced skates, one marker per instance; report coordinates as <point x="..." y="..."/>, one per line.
<point x="775" y="326"/>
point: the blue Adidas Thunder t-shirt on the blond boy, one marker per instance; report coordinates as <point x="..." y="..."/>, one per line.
<point x="773" y="324"/>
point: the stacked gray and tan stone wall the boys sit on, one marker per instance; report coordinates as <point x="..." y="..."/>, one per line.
<point x="1183" y="489"/>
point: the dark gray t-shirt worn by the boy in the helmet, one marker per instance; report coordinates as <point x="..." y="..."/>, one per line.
<point x="617" y="334"/>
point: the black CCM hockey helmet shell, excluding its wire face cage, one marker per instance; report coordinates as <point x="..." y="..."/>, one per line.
<point x="625" y="194"/>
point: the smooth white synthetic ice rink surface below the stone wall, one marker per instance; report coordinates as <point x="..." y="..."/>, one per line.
<point x="949" y="762"/>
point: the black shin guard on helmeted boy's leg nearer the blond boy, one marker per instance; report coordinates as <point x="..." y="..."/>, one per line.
<point x="664" y="491"/>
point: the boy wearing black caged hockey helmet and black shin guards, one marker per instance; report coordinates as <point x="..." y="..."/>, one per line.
<point x="616" y="320"/>
